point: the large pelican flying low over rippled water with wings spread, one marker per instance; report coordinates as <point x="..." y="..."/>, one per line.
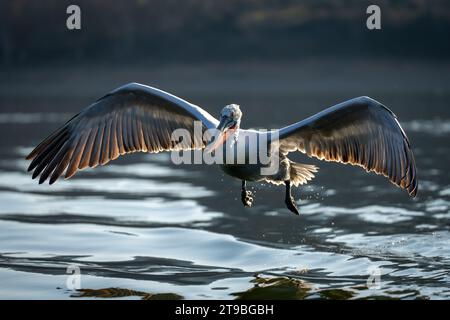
<point x="136" y="117"/>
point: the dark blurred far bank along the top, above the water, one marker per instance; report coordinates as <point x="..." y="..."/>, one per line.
<point x="199" y="30"/>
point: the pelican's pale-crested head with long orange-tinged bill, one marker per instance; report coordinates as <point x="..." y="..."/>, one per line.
<point x="230" y="120"/>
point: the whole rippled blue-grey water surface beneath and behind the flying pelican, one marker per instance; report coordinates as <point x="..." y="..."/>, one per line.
<point x="141" y="227"/>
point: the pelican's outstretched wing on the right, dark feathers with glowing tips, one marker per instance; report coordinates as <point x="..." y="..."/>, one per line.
<point x="361" y="132"/>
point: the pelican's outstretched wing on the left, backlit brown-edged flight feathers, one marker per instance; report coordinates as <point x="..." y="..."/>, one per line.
<point x="131" y="118"/>
